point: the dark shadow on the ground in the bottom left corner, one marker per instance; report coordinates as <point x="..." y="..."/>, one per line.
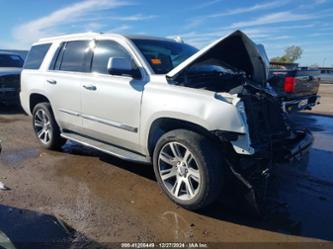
<point x="22" y="228"/>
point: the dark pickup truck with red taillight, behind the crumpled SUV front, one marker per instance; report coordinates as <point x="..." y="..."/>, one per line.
<point x="296" y="87"/>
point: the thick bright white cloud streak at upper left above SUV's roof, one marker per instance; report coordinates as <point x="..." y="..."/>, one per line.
<point x="45" y="26"/>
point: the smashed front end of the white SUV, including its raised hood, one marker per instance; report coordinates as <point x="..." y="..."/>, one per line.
<point x="236" y="69"/>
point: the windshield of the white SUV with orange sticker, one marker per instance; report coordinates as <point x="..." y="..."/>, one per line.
<point x="162" y="55"/>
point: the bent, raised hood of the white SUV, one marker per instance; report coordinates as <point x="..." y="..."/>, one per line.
<point x="236" y="50"/>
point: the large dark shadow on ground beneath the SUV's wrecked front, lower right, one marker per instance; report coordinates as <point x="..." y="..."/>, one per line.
<point x="298" y="202"/>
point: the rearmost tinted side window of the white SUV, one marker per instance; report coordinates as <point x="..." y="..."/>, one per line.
<point x="36" y="56"/>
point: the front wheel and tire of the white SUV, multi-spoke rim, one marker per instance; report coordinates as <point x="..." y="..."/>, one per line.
<point x="189" y="168"/>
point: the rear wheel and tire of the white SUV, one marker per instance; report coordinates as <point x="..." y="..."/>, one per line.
<point x="46" y="128"/>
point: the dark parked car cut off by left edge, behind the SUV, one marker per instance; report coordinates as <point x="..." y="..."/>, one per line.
<point x="10" y="69"/>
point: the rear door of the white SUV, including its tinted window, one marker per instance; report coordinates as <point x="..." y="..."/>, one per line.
<point x="69" y="67"/>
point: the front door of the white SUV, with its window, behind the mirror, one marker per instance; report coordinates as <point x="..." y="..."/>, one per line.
<point x="111" y="103"/>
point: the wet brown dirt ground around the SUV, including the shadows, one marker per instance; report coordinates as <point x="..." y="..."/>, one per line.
<point x="82" y="195"/>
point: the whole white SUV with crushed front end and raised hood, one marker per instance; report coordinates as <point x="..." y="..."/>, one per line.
<point x="200" y="117"/>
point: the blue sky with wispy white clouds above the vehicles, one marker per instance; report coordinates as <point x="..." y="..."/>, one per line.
<point x="275" y="23"/>
